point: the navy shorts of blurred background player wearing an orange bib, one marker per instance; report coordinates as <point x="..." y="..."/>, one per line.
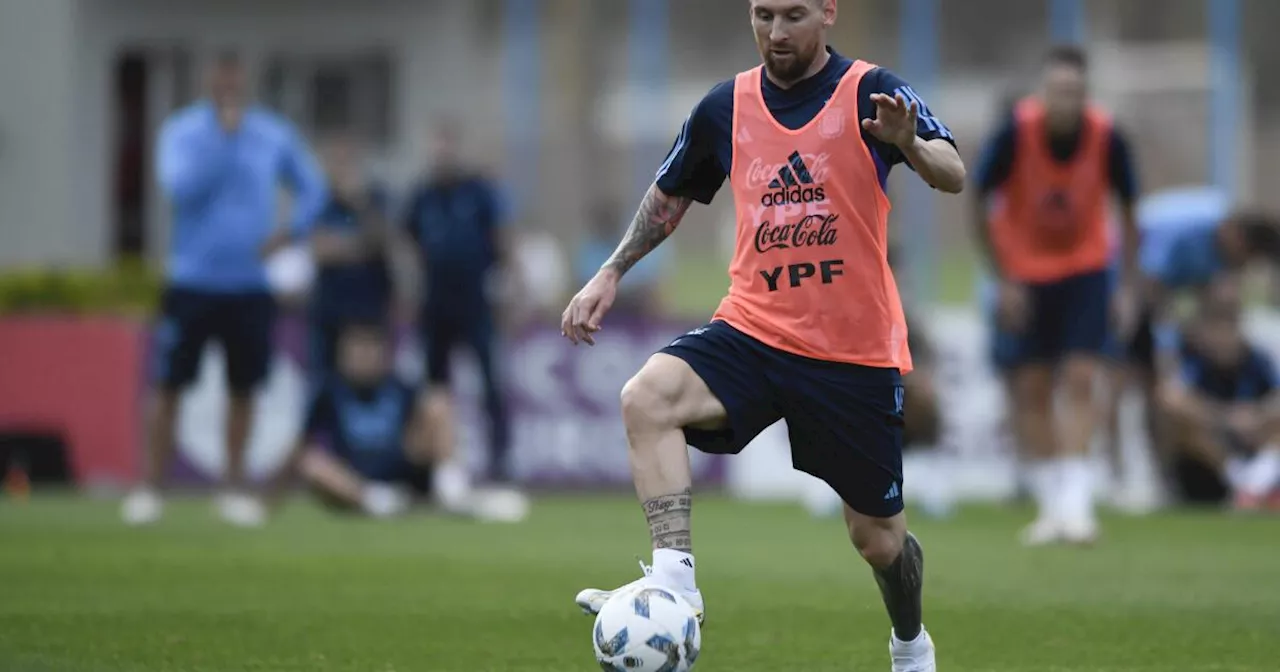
<point x="1069" y="317"/>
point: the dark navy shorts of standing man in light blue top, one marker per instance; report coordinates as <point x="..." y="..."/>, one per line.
<point x="243" y="324"/>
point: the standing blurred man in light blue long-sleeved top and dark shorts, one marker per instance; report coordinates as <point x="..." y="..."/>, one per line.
<point x="221" y="163"/>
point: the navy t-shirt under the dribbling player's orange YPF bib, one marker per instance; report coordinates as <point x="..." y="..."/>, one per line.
<point x="703" y="154"/>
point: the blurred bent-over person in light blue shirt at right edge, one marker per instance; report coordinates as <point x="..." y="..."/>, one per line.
<point x="1191" y="239"/>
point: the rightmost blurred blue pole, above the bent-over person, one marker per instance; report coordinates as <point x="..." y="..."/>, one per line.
<point x="1226" y="95"/>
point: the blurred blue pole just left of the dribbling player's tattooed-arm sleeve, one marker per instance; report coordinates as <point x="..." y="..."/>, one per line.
<point x="648" y="72"/>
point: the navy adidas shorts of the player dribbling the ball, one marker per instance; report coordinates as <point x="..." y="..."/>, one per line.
<point x="845" y="422"/>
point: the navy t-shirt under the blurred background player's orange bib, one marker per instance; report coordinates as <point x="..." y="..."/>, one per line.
<point x="998" y="159"/>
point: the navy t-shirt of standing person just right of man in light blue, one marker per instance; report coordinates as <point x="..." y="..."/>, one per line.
<point x="359" y="291"/>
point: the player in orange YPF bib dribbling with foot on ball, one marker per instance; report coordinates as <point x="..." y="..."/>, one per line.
<point x="812" y="330"/>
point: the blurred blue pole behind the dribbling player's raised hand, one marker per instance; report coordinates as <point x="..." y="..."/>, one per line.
<point x="918" y="58"/>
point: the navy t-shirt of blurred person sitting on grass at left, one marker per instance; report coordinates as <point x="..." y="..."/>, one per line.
<point x="367" y="429"/>
